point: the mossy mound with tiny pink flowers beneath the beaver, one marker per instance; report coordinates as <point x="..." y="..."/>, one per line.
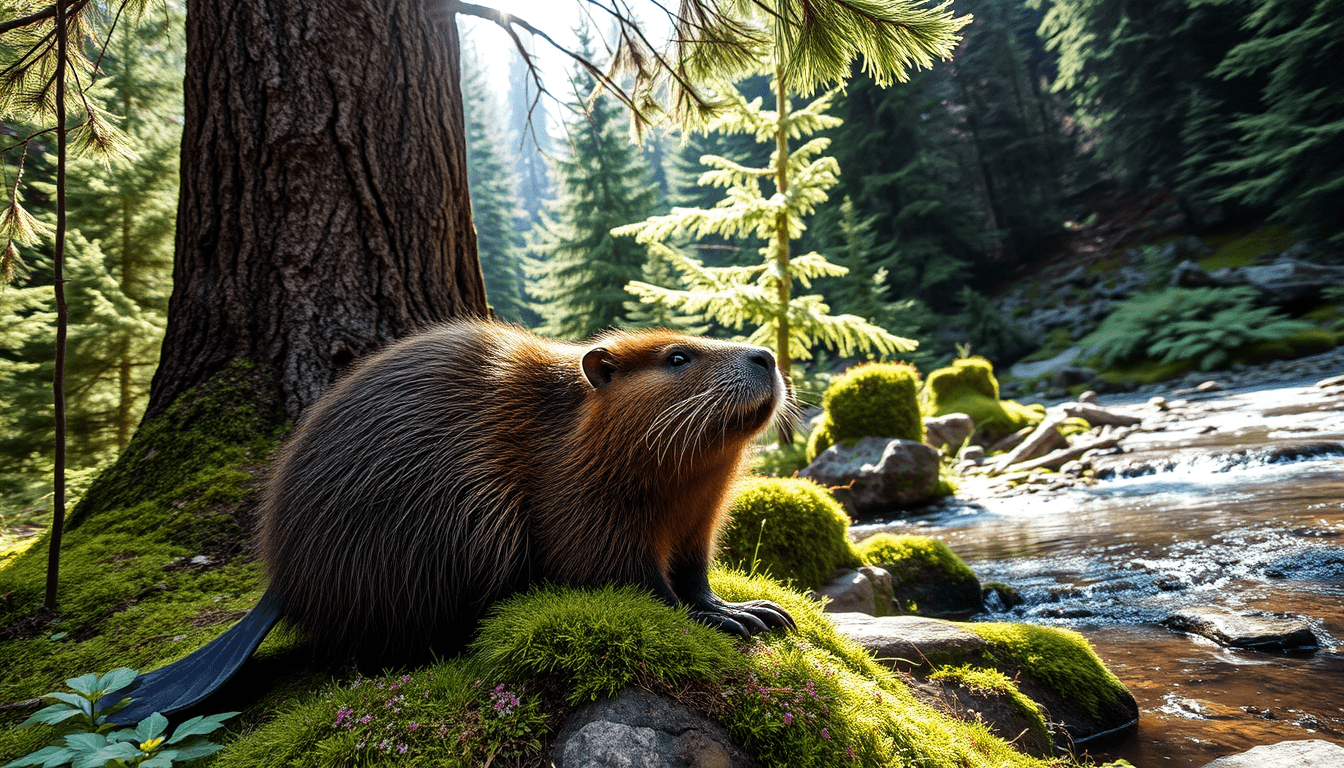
<point x="807" y="700"/>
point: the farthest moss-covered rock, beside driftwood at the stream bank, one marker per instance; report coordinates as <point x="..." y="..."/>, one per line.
<point x="970" y="387"/>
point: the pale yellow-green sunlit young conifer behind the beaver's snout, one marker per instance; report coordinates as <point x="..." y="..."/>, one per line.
<point x="761" y="297"/>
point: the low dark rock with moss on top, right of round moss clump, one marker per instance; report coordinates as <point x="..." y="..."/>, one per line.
<point x="927" y="578"/>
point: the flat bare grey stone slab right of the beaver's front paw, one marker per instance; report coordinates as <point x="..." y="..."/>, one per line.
<point x="907" y="642"/>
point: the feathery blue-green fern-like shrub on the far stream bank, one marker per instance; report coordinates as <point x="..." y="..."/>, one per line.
<point x="1202" y="325"/>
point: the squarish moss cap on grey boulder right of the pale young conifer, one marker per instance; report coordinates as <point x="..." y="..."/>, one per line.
<point x="876" y="400"/>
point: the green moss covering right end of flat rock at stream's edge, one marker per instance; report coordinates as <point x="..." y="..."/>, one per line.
<point x="1061" y="660"/>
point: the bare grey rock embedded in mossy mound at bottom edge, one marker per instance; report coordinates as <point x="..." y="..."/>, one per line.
<point x="638" y="730"/>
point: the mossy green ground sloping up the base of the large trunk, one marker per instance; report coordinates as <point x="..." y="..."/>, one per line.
<point x="131" y="592"/>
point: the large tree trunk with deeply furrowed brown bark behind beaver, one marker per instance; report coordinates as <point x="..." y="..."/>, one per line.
<point x="325" y="206"/>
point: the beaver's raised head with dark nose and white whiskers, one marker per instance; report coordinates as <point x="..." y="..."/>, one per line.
<point x="679" y="396"/>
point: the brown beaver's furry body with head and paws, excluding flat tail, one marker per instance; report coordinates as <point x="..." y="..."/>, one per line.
<point x="462" y="465"/>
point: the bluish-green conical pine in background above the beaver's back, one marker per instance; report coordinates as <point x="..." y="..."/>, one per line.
<point x="581" y="270"/>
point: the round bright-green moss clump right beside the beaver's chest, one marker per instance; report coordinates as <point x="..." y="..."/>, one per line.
<point x="790" y="529"/>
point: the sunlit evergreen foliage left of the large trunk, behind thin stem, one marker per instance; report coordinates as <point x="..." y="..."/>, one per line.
<point x="119" y="267"/>
